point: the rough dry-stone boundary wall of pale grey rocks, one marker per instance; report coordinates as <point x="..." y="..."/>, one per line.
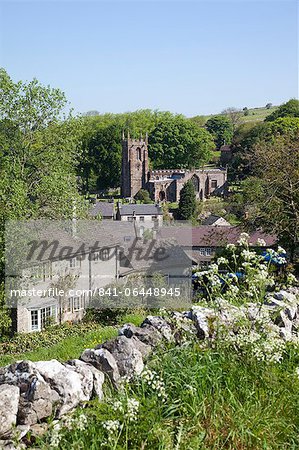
<point x="31" y="392"/>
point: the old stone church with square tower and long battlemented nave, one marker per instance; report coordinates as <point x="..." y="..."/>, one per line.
<point x="165" y="184"/>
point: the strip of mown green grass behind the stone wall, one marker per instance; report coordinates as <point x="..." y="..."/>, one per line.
<point x="72" y="347"/>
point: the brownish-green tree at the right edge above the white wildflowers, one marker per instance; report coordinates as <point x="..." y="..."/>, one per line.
<point x="271" y="197"/>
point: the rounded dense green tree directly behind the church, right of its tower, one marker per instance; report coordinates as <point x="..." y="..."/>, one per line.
<point x="176" y="142"/>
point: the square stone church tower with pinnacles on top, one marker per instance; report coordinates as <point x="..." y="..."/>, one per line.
<point x="134" y="169"/>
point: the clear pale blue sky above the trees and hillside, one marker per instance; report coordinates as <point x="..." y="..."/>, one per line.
<point x="190" y="57"/>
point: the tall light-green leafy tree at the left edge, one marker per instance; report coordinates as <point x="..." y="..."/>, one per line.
<point x="39" y="148"/>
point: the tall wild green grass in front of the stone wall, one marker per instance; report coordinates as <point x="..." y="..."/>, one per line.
<point x="216" y="399"/>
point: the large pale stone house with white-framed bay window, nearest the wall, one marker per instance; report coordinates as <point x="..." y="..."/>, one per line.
<point x="56" y="289"/>
